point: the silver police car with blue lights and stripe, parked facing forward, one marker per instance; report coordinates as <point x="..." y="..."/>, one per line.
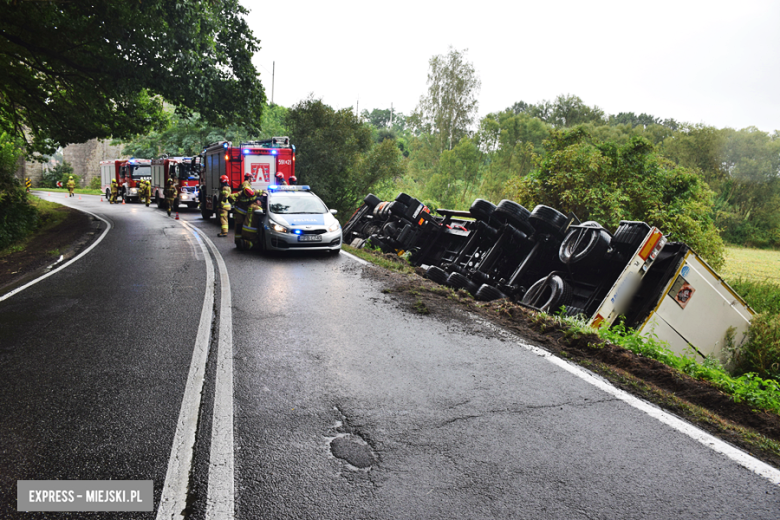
<point x="296" y="218"/>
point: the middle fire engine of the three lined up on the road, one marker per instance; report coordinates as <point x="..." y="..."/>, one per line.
<point x="185" y="172"/>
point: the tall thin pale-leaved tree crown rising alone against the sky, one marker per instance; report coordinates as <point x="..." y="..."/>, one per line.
<point x="450" y="106"/>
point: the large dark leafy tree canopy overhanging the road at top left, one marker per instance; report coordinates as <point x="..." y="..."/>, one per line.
<point x="77" y="70"/>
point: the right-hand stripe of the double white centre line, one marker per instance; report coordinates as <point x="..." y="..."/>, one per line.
<point x="220" y="501"/>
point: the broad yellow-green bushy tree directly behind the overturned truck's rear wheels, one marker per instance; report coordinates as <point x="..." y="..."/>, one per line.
<point x="608" y="183"/>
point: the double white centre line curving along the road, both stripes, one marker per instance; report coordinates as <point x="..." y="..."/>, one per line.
<point x="220" y="499"/>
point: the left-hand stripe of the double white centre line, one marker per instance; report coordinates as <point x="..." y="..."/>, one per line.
<point x="174" y="494"/>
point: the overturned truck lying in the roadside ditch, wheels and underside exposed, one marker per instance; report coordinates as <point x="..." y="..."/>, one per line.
<point x="552" y="262"/>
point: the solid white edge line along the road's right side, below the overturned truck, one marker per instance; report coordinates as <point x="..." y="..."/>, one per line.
<point x="740" y="457"/>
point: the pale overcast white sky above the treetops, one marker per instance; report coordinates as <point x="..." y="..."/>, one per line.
<point x="702" y="62"/>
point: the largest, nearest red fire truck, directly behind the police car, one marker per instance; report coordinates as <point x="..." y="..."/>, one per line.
<point x="263" y="160"/>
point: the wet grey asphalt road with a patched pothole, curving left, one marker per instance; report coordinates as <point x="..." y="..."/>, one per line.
<point x="340" y="402"/>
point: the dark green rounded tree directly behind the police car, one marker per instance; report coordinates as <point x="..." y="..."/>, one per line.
<point x="336" y="156"/>
